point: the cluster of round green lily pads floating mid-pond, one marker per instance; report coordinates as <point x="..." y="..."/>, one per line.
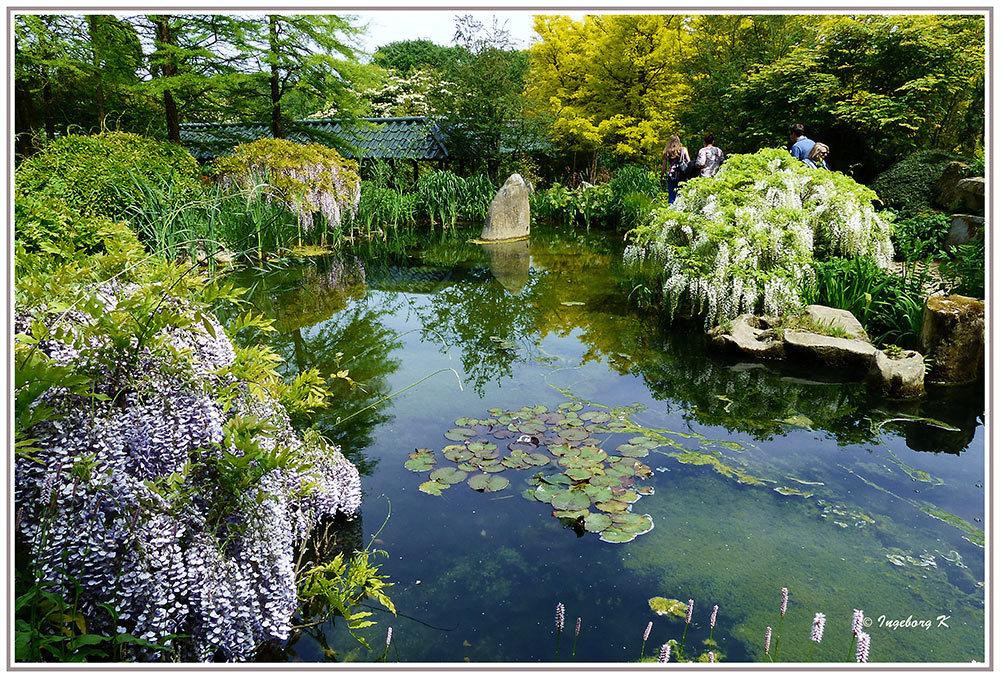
<point x="592" y="490"/>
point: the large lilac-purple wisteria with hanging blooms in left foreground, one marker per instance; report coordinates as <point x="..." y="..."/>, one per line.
<point x="127" y="493"/>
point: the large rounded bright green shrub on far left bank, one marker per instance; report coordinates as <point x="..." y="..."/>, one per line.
<point x="95" y="174"/>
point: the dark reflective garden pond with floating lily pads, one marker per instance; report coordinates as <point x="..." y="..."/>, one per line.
<point x="751" y="477"/>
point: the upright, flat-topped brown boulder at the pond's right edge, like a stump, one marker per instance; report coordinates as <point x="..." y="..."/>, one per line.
<point x="952" y="334"/>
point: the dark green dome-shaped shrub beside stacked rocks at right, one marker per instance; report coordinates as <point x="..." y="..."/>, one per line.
<point x="908" y="186"/>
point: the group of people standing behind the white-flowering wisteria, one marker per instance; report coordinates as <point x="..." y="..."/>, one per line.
<point x="677" y="166"/>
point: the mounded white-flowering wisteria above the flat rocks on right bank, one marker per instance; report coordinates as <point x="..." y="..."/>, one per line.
<point x="744" y="240"/>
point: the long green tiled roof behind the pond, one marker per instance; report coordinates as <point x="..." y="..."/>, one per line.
<point x="407" y="138"/>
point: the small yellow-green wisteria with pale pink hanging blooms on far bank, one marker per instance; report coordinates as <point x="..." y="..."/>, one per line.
<point x="308" y="179"/>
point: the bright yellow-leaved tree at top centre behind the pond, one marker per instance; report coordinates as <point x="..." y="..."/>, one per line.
<point x="610" y="81"/>
